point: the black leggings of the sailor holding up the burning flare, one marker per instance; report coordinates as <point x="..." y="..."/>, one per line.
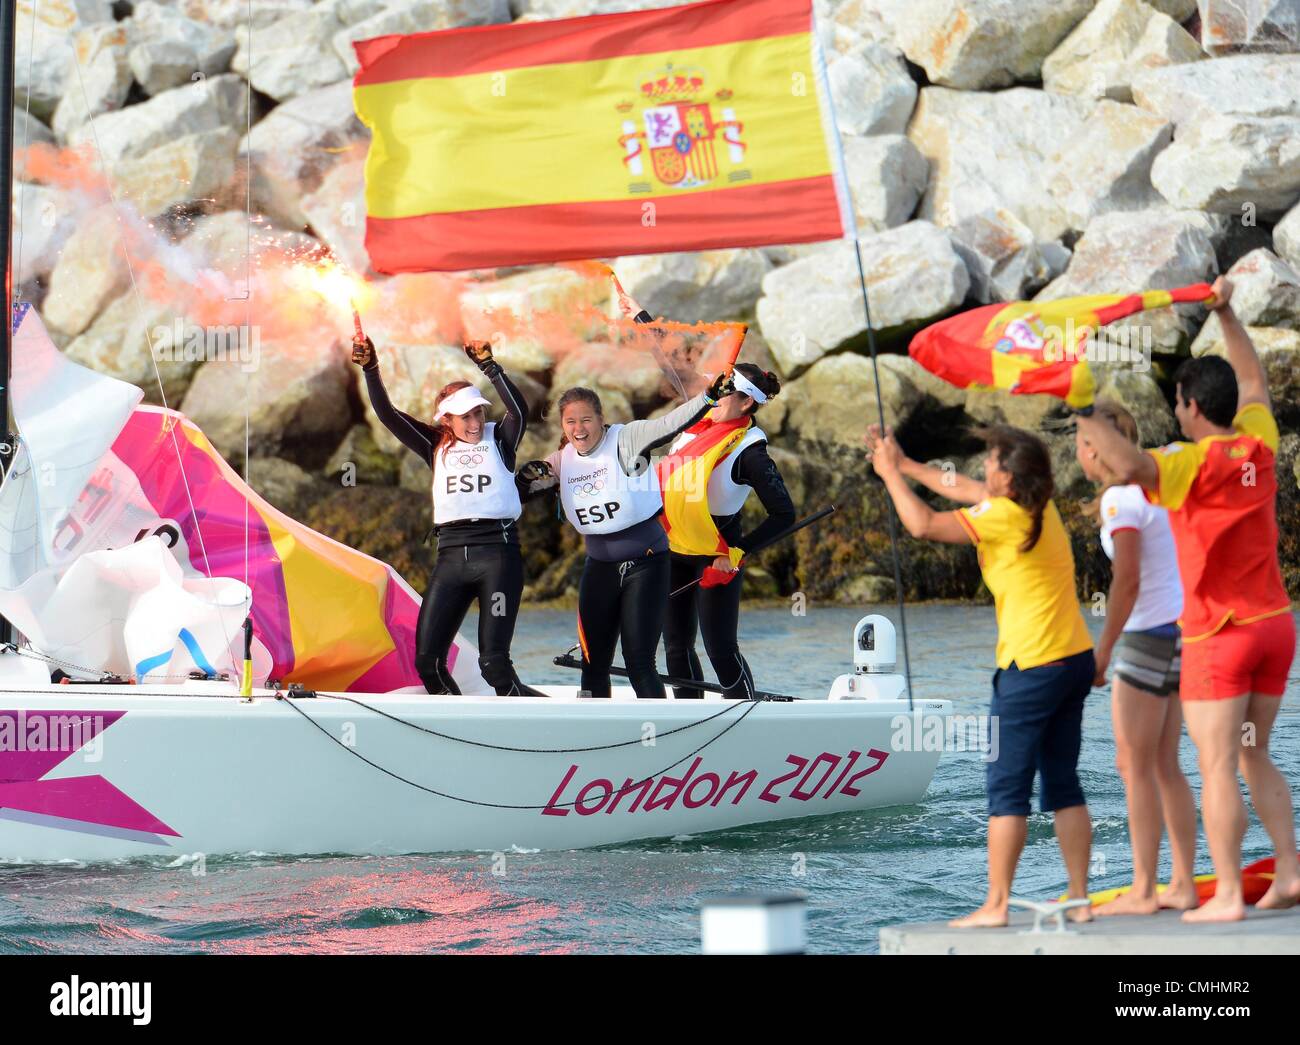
<point x="493" y="575"/>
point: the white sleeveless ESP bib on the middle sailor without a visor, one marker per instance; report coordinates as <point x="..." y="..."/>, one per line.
<point x="599" y="497"/>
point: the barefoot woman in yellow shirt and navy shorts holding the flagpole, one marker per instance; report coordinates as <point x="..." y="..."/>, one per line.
<point x="1045" y="653"/>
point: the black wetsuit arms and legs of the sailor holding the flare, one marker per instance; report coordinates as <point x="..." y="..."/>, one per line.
<point x="479" y="560"/>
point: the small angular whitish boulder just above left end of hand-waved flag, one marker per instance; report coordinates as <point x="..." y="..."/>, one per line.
<point x="1004" y="259"/>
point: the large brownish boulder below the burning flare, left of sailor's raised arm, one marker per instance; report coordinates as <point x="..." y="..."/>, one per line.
<point x="296" y="398"/>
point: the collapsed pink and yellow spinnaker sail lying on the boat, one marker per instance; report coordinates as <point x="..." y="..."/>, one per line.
<point x="332" y="618"/>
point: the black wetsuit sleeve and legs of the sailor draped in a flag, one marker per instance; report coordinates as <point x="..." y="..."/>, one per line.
<point x="717" y="610"/>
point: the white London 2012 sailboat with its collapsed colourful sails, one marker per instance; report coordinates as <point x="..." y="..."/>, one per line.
<point x="128" y="756"/>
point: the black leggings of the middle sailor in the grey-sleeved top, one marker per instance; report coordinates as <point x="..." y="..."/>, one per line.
<point x="622" y="601"/>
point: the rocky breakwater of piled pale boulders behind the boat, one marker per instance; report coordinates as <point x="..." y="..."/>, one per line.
<point x="996" y="150"/>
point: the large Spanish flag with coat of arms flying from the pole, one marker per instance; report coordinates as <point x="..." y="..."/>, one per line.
<point x="690" y="128"/>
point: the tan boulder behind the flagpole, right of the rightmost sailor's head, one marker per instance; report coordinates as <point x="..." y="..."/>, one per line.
<point x="835" y="401"/>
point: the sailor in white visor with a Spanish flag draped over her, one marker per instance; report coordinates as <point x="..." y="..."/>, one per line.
<point x="726" y="454"/>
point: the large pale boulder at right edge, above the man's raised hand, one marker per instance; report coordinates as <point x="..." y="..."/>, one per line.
<point x="1233" y="166"/>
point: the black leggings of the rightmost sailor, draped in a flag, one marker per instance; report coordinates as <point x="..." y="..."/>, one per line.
<point x="717" y="612"/>
